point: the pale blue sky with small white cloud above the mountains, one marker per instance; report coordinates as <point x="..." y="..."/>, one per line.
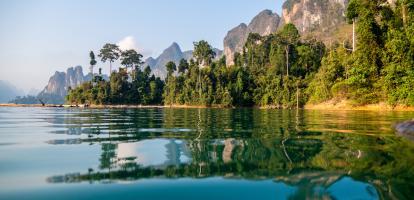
<point x="39" y="37"/>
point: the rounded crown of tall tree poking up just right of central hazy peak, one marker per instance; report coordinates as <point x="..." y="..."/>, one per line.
<point x="203" y="53"/>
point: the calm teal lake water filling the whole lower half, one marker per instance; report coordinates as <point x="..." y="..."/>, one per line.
<point x="48" y="153"/>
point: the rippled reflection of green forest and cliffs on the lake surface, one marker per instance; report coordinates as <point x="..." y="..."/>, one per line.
<point x="320" y="154"/>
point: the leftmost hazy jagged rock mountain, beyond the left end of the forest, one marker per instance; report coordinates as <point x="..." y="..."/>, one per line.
<point x="58" y="85"/>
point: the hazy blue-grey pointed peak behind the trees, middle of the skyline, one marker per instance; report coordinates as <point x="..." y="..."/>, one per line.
<point x="172" y="53"/>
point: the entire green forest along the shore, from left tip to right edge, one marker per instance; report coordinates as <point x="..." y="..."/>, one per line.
<point x="281" y="70"/>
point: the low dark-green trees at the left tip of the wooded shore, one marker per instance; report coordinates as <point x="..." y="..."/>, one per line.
<point x="136" y="87"/>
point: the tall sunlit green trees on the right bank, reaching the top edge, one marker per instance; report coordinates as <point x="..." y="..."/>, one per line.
<point x="381" y="69"/>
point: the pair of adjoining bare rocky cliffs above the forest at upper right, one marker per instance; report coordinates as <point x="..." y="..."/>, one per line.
<point x="319" y="18"/>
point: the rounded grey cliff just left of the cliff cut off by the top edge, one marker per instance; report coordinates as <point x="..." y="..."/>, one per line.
<point x="265" y="23"/>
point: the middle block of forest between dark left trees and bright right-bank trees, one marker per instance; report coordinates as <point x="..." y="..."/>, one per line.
<point x="257" y="78"/>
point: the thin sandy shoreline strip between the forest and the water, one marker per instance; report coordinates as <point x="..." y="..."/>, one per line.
<point x="342" y="106"/>
